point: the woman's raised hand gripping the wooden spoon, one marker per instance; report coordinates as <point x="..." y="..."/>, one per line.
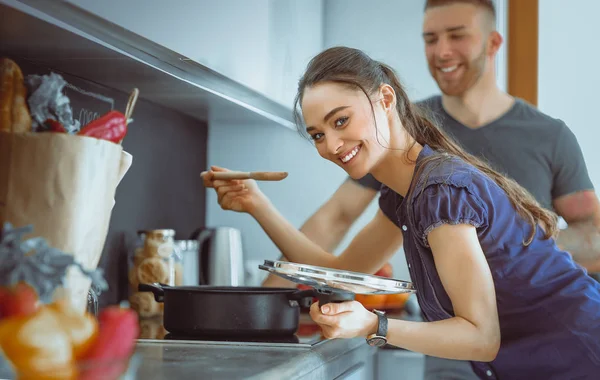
<point x="235" y="195"/>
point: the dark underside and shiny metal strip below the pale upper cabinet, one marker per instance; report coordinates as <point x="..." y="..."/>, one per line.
<point x="68" y="39"/>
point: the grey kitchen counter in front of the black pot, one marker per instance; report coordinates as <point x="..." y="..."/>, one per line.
<point x="330" y="359"/>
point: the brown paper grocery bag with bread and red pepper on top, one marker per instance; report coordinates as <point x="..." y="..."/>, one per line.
<point x="64" y="185"/>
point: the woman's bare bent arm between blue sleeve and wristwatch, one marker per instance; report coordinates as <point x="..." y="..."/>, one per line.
<point x="474" y="332"/>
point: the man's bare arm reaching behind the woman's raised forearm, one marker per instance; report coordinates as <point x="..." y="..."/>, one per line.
<point x="331" y="222"/>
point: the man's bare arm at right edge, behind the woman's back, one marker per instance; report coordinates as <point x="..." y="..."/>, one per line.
<point x="581" y="238"/>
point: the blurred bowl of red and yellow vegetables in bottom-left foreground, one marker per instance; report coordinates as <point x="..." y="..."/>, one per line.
<point x="43" y="335"/>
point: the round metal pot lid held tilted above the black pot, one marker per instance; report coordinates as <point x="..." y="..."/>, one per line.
<point x="331" y="279"/>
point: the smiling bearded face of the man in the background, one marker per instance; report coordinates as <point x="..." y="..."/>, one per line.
<point x="456" y="46"/>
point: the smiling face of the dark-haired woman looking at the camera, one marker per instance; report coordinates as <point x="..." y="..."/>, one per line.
<point x="340" y="121"/>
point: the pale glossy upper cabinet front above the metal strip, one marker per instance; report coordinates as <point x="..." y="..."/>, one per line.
<point x="262" y="44"/>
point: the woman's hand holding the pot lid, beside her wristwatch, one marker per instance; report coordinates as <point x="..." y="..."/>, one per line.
<point x="344" y="320"/>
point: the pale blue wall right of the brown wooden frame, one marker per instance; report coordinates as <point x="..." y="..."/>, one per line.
<point x="566" y="89"/>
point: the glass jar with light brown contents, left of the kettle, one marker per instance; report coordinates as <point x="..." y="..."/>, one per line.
<point x="152" y="260"/>
